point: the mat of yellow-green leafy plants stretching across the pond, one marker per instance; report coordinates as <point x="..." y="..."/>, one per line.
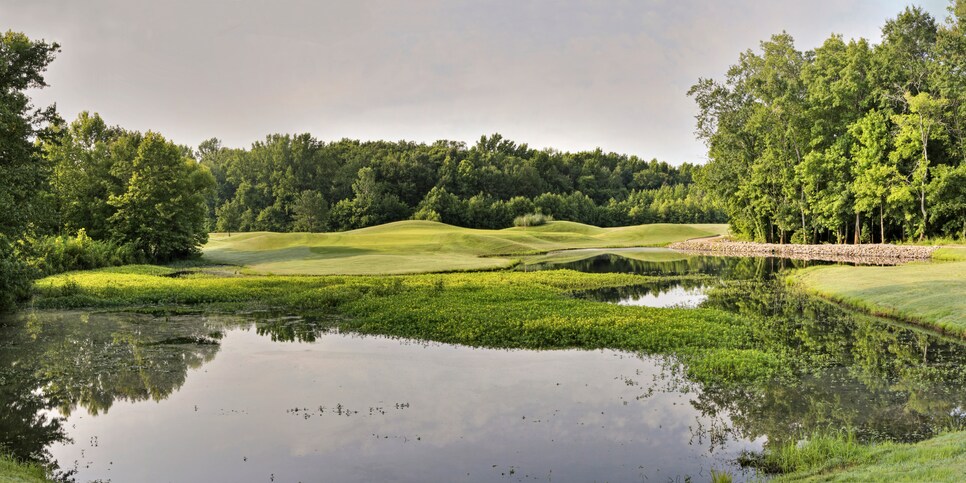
<point x="492" y="309"/>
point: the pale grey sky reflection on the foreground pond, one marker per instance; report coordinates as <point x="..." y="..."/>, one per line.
<point x="416" y="412"/>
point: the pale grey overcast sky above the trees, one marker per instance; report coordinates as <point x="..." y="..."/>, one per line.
<point x="567" y="74"/>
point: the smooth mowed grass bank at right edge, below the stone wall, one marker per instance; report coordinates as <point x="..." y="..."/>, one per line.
<point x="929" y="293"/>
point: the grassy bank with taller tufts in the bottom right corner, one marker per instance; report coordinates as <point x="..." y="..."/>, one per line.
<point x="840" y="457"/>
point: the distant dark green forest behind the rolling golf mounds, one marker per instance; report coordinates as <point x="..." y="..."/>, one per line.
<point x="298" y="183"/>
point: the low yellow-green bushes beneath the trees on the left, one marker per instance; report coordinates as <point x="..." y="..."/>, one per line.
<point x="50" y="255"/>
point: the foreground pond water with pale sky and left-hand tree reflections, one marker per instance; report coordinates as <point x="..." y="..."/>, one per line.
<point x="134" y="398"/>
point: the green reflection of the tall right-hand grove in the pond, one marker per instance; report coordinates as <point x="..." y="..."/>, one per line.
<point x="849" y="370"/>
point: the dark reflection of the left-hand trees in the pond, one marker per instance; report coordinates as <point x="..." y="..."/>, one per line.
<point x="53" y="363"/>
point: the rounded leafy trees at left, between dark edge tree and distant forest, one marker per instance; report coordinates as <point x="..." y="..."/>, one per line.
<point x="135" y="190"/>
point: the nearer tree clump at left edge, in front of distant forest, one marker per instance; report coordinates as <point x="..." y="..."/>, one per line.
<point x="85" y="195"/>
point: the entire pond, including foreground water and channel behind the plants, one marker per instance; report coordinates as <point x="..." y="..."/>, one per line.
<point x="263" y="397"/>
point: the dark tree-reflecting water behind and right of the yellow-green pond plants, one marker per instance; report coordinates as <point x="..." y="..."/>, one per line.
<point x="845" y="369"/>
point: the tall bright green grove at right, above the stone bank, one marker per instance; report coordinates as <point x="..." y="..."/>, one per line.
<point x="849" y="142"/>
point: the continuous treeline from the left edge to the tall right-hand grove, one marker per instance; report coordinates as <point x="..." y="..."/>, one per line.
<point x="86" y="194"/>
